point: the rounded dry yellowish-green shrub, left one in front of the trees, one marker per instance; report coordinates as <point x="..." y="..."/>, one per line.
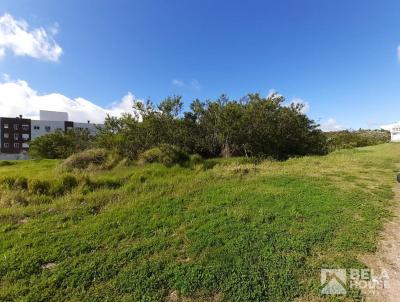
<point x="92" y="159"/>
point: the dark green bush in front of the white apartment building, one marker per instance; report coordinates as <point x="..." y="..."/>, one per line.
<point x="60" y="144"/>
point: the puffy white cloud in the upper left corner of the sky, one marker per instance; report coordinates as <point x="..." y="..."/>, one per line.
<point x="38" y="43"/>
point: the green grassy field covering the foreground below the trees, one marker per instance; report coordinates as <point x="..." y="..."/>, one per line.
<point x="225" y="230"/>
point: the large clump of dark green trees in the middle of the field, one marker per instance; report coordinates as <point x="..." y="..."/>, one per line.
<point x="252" y="126"/>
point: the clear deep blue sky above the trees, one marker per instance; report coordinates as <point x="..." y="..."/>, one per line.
<point x="339" y="56"/>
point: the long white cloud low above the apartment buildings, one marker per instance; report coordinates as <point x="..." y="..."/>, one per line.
<point x="17" y="97"/>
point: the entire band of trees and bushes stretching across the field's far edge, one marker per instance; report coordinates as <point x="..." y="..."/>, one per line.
<point x="252" y="126"/>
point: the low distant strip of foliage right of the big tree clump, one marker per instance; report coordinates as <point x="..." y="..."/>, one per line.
<point x="360" y="138"/>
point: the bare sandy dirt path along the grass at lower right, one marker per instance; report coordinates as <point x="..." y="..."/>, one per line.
<point x="387" y="260"/>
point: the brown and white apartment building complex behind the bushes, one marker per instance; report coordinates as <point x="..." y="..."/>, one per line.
<point x="17" y="132"/>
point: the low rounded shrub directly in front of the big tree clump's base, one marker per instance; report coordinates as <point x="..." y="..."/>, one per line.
<point x="165" y="154"/>
